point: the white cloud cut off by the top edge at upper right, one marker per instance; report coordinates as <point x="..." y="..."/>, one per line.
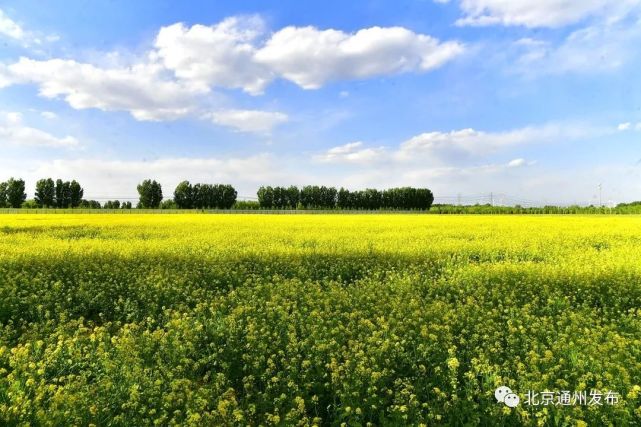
<point x="542" y="13"/>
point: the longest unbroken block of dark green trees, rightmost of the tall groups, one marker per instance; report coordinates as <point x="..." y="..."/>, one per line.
<point x="321" y="197"/>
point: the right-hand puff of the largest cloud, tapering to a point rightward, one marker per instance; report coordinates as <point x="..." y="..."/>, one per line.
<point x="311" y="57"/>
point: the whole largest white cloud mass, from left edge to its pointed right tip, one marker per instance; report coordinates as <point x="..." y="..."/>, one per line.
<point x="186" y="64"/>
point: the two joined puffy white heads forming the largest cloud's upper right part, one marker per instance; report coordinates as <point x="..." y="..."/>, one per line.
<point x="236" y="53"/>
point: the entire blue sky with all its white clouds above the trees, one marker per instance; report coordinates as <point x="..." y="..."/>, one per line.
<point x="539" y="100"/>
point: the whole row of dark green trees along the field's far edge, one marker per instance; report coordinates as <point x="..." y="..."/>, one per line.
<point x="69" y="194"/>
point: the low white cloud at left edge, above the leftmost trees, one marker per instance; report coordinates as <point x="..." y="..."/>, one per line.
<point x="13" y="131"/>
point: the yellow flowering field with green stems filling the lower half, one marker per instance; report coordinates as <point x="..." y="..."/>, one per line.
<point x="316" y="319"/>
